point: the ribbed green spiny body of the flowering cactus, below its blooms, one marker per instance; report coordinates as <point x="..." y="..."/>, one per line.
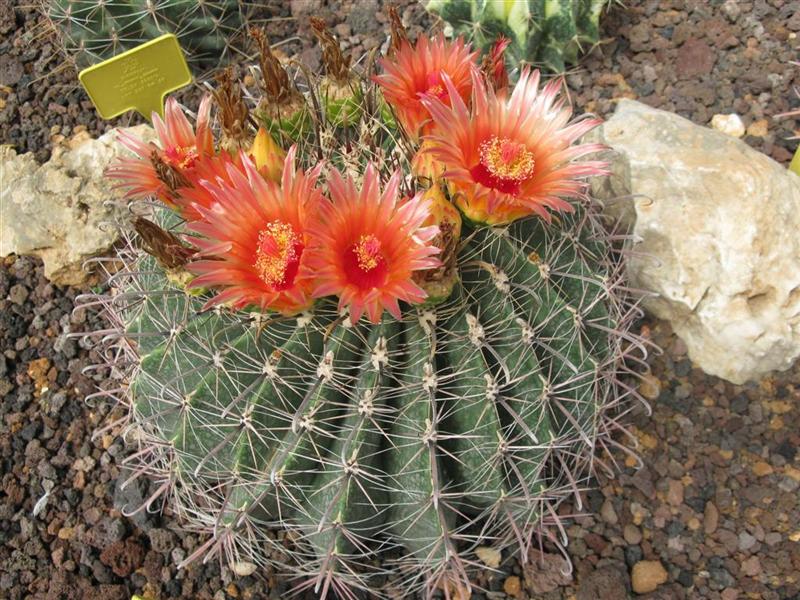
<point x="402" y="434"/>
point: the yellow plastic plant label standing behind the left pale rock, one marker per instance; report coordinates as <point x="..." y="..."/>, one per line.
<point x="137" y="79"/>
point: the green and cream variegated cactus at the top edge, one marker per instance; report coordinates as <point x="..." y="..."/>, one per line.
<point x="547" y="33"/>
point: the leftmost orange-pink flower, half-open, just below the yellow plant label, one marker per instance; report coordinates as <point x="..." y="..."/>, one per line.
<point x="161" y="170"/>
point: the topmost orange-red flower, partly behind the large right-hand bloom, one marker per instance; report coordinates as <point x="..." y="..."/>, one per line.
<point x="415" y="71"/>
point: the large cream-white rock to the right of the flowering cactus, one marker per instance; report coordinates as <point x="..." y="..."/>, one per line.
<point x="715" y="226"/>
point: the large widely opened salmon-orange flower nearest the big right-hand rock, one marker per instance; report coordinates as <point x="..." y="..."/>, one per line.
<point x="507" y="157"/>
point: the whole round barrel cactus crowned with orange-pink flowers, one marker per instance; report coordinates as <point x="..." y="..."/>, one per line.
<point x="378" y="365"/>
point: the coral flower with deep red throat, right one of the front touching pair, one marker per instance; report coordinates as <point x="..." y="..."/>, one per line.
<point x="367" y="246"/>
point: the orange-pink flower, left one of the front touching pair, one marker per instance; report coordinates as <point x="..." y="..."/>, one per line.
<point x="253" y="238"/>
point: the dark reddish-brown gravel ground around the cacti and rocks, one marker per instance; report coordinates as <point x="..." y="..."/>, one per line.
<point x="717" y="502"/>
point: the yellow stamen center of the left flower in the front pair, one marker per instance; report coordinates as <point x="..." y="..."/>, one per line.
<point x="278" y="255"/>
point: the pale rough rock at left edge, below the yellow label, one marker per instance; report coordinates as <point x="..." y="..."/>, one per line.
<point x="59" y="211"/>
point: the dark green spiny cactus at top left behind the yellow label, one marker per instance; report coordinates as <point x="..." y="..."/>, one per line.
<point x="93" y="30"/>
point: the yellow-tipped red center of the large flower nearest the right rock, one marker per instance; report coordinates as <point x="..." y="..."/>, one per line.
<point x="504" y="164"/>
